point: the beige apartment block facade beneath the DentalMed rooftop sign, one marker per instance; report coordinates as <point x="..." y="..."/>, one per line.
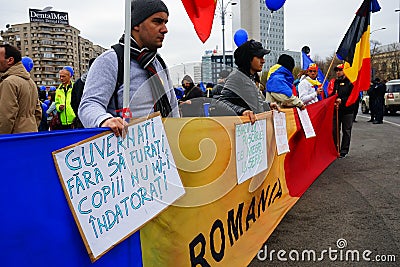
<point x="51" y="46"/>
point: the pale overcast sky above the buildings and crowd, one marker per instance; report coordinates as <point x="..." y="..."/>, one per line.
<point x="320" y="24"/>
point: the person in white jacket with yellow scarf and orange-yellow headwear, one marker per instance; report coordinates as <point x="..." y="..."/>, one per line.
<point x="310" y="89"/>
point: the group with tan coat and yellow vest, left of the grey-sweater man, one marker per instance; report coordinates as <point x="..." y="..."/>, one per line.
<point x="28" y="108"/>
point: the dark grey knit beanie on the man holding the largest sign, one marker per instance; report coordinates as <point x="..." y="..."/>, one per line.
<point x="142" y="9"/>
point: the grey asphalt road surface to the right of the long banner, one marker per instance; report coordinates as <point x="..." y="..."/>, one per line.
<point x="356" y="201"/>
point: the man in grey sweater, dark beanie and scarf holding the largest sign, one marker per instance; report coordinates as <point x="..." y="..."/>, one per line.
<point x="150" y="89"/>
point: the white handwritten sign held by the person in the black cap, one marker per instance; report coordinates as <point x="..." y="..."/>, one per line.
<point x="251" y="150"/>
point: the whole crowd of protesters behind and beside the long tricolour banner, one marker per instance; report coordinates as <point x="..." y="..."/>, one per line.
<point x="96" y="98"/>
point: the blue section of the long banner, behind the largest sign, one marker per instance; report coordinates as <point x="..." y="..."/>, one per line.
<point x="38" y="226"/>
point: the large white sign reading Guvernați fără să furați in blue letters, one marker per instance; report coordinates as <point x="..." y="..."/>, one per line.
<point x="114" y="185"/>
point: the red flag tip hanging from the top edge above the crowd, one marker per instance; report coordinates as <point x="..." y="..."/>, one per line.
<point x="201" y="13"/>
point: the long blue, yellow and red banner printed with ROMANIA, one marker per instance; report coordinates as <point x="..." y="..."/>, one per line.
<point x="218" y="222"/>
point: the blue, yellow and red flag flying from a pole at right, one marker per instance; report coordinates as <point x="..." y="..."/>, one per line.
<point x="355" y="50"/>
